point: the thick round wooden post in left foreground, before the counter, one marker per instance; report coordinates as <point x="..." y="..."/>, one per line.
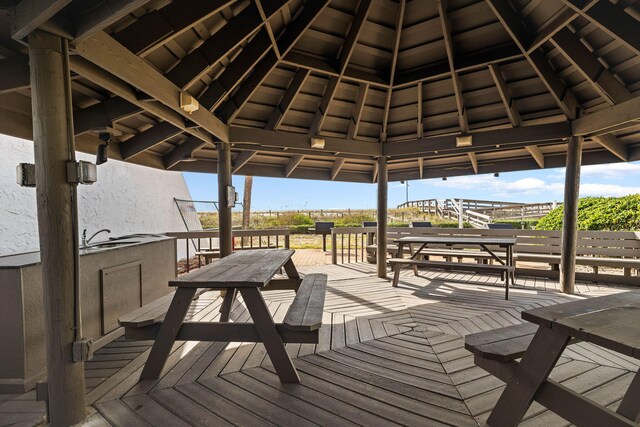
<point x="57" y="222"/>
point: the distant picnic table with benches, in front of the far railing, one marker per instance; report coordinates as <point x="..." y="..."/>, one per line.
<point x="505" y="264"/>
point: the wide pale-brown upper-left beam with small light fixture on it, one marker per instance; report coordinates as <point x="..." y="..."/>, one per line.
<point x="114" y="58"/>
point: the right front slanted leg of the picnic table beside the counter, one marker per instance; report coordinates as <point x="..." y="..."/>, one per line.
<point x="270" y="337"/>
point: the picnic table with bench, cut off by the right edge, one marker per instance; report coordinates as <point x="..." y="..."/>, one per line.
<point x="612" y="322"/>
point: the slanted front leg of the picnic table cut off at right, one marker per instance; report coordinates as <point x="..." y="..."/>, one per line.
<point x="534" y="369"/>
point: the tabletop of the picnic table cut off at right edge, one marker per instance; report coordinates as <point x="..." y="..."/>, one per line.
<point x="611" y="321"/>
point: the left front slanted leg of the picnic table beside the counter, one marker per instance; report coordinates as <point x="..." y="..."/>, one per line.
<point x="168" y="332"/>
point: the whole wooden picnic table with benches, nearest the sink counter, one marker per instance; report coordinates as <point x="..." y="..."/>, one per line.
<point x="250" y="273"/>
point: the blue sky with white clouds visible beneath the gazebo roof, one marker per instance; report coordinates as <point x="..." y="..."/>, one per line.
<point x="545" y="185"/>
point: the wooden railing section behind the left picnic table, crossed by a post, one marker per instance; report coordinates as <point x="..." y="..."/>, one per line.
<point x="201" y="241"/>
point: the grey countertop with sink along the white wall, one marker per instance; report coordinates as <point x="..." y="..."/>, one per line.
<point x="27" y="259"/>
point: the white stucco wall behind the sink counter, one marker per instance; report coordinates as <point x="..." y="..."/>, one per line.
<point x="126" y="199"/>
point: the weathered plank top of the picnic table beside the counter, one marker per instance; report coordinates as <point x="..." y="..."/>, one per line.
<point x="242" y="269"/>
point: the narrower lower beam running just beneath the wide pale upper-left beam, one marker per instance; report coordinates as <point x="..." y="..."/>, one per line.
<point x="122" y="89"/>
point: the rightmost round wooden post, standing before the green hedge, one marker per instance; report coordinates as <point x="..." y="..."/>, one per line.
<point x="570" y="221"/>
